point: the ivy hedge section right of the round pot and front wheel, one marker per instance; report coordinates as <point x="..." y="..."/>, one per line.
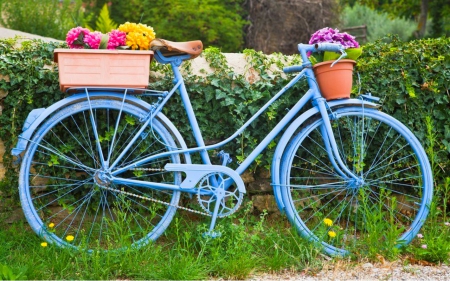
<point x="413" y="80"/>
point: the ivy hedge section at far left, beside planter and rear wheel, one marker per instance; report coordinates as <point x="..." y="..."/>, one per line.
<point x="26" y="82"/>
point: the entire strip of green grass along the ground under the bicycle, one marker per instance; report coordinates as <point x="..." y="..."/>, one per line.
<point x="249" y="244"/>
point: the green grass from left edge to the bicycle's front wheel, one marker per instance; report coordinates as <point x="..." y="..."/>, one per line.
<point x="247" y="245"/>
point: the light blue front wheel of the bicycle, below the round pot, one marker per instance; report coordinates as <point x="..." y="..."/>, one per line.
<point x="387" y="203"/>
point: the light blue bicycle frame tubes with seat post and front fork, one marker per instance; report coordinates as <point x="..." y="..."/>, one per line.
<point x="313" y="94"/>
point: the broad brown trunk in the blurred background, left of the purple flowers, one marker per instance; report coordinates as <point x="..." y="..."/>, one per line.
<point x="279" y="25"/>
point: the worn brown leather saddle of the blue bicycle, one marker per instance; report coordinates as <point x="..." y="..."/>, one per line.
<point x="169" y="48"/>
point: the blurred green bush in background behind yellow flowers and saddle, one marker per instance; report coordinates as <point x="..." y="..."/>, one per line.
<point x="216" y="23"/>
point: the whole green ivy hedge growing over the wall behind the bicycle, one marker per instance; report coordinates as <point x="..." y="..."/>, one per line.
<point x="411" y="78"/>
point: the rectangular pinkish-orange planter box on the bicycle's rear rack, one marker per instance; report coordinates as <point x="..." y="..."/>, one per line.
<point x="103" y="68"/>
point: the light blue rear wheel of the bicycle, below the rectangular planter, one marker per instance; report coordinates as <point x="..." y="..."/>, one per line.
<point x="64" y="190"/>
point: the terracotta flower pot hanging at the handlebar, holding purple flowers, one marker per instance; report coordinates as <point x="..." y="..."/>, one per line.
<point x="335" y="82"/>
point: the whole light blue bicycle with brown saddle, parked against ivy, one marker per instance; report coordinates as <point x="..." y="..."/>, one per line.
<point x="104" y="168"/>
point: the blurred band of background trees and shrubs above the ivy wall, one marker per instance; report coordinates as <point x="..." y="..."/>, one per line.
<point x="231" y="25"/>
